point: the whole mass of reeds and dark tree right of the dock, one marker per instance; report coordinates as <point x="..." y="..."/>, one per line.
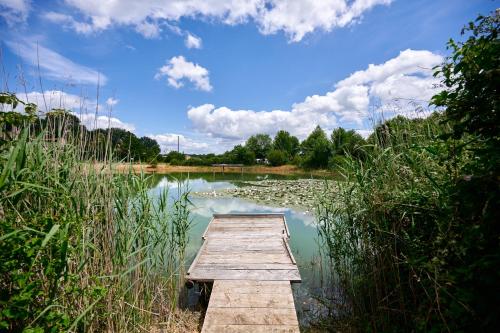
<point x="412" y="236"/>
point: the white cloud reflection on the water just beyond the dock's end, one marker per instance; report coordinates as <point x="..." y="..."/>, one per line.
<point x="206" y="207"/>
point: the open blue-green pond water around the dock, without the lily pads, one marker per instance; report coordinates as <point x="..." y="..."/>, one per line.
<point x="301" y="224"/>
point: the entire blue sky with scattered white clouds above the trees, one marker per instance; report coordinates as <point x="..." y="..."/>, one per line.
<point x="214" y="72"/>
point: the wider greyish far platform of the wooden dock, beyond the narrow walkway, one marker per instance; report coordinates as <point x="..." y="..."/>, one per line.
<point x="252" y="247"/>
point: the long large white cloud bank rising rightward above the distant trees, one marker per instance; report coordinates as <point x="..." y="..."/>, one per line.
<point x="398" y="86"/>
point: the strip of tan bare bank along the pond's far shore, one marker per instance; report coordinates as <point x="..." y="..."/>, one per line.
<point x="256" y="169"/>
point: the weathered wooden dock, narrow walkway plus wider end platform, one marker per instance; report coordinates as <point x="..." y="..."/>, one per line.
<point x="248" y="259"/>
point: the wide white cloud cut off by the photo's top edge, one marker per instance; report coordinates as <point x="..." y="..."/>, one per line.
<point x="295" y="18"/>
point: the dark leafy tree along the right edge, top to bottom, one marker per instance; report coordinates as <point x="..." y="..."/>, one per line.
<point x="471" y="77"/>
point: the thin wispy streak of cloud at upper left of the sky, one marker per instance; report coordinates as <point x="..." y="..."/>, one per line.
<point x="54" y="65"/>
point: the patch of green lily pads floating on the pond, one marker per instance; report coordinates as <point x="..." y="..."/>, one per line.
<point x="300" y="194"/>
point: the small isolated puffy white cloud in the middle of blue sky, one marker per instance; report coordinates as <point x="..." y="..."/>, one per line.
<point x="177" y="70"/>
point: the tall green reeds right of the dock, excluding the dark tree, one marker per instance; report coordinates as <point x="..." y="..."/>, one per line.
<point x="387" y="233"/>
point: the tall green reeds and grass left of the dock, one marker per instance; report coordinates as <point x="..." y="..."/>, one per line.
<point x="83" y="248"/>
